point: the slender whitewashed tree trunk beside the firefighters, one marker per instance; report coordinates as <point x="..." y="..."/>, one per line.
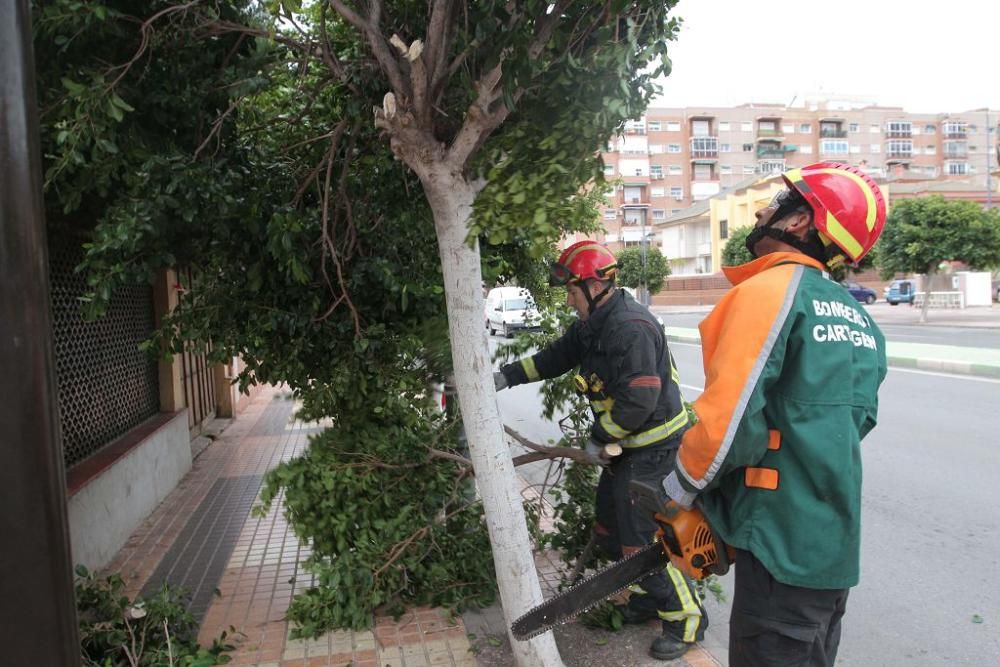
<point x="451" y="199"/>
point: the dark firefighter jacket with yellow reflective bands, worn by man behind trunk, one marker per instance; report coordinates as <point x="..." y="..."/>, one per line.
<point x="626" y="369"/>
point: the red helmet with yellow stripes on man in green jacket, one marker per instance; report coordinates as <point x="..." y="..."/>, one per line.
<point x="848" y="207"/>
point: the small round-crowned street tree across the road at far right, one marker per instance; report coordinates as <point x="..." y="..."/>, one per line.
<point x="921" y="233"/>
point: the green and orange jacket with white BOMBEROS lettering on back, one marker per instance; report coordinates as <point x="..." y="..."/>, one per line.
<point x="792" y="369"/>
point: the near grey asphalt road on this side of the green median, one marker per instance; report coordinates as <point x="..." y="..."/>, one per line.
<point x="930" y="588"/>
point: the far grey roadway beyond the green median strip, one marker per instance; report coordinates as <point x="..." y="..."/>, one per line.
<point x="883" y="315"/>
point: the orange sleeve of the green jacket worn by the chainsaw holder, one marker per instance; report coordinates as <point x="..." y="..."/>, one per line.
<point x="732" y="337"/>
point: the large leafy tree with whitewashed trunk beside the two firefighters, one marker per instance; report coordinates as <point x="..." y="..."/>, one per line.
<point x="315" y="247"/>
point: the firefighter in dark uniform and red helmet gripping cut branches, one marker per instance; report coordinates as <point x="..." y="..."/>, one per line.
<point x="626" y="372"/>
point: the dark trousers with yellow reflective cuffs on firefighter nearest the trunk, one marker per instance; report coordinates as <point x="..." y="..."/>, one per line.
<point x="621" y="528"/>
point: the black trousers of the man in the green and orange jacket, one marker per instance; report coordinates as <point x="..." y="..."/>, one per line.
<point x="777" y="625"/>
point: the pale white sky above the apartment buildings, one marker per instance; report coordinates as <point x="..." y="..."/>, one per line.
<point x="927" y="57"/>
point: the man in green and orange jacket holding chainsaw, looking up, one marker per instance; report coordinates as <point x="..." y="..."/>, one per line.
<point x="792" y="365"/>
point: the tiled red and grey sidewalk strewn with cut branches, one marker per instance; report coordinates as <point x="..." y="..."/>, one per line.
<point x="243" y="571"/>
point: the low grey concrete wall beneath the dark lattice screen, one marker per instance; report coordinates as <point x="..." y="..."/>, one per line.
<point x="111" y="506"/>
